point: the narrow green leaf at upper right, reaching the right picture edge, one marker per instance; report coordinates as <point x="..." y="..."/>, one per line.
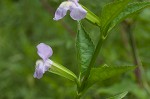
<point x="128" y="11"/>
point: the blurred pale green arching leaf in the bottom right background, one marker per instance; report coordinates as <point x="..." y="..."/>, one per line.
<point x="133" y="88"/>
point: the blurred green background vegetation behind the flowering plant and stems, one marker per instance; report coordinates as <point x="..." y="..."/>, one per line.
<point x="26" y="23"/>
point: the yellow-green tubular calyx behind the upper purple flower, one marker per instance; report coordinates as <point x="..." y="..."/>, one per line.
<point x="91" y="17"/>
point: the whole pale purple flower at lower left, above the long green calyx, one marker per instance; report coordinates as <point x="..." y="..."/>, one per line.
<point x="44" y="51"/>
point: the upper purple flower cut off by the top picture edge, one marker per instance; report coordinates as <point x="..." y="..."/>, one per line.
<point x="76" y="11"/>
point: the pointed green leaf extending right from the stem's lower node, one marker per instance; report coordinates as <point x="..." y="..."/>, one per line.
<point x="105" y="72"/>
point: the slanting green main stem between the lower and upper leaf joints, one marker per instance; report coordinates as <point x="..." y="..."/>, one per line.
<point x="92" y="62"/>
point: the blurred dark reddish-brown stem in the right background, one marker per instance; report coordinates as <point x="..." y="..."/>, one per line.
<point x="139" y="71"/>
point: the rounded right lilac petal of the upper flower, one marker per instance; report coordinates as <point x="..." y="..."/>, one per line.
<point x="77" y="12"/>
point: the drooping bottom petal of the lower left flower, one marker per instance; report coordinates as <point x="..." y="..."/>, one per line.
<point x="40" y="70"/>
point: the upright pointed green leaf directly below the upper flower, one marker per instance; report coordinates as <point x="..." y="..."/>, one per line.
<point x="85" y="48"/>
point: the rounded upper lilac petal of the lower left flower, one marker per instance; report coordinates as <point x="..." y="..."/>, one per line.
<point x="44" y="51"/>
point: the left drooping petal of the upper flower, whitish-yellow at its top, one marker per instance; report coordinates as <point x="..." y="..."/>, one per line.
<point x="62" y="10"/>
